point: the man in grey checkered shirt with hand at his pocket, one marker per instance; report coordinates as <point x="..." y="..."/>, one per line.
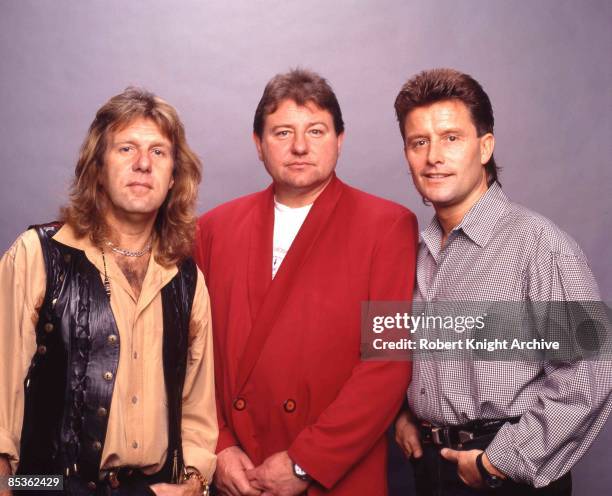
<point x="512" y="427"/>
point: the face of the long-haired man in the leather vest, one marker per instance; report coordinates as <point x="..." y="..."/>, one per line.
<point x="137" y="171"/>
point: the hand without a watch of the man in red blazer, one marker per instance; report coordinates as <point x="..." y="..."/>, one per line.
<point x="230" y="477"/>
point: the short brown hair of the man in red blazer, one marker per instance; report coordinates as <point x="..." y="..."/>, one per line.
<point x="301" y="86"/>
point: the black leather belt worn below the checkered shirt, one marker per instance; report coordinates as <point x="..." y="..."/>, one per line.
<point x="455" y="436"/>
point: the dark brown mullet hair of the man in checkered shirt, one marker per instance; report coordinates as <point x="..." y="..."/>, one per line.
<point x="436" y="85"/>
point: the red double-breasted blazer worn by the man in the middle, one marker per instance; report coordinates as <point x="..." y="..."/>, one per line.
<point x="287" y="364"/>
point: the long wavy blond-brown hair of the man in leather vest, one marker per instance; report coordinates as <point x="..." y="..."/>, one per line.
<point x="175" y="222"/>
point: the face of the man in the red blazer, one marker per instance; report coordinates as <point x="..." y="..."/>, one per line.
<point x="299" y="148"/>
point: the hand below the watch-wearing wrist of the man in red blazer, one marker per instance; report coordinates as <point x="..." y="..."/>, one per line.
<point x="275" y="477"/>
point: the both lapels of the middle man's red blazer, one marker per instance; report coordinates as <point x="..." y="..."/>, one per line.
<point x="280" y="287"/>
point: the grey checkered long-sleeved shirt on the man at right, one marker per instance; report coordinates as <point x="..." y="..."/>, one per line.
<point x="502" y="251"/>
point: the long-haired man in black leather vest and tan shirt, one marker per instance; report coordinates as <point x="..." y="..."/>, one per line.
<point x="108" y="321"/>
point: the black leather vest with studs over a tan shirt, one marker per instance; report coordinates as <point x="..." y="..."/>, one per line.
<point x="69" y="385"/>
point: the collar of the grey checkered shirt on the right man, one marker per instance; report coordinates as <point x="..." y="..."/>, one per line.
<point x="478" y="224"/>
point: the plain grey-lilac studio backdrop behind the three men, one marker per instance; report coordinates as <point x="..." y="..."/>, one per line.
<point x="545" y="64"/>
